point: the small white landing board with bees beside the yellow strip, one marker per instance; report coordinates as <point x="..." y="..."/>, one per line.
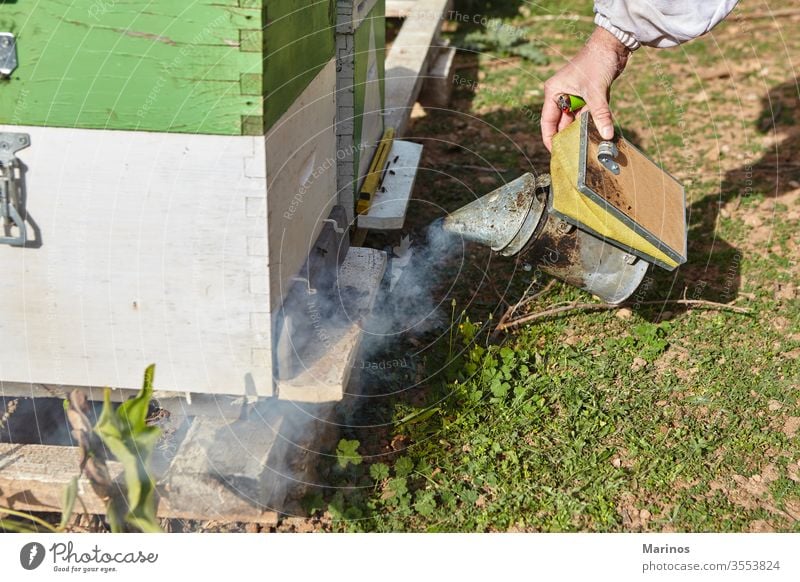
<point x="388" y="209"/>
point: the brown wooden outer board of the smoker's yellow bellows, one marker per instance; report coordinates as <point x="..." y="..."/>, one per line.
<point x="642" y="192"/>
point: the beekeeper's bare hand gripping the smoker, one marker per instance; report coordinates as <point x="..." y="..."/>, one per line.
<point x="589" y="75"/>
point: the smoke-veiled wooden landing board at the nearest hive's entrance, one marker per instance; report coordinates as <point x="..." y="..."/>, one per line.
<point x="326" y="365"/>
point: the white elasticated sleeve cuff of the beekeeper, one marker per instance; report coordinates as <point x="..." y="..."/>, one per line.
<point x="659" y="23"/>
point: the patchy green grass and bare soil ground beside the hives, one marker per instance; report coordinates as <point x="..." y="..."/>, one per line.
<point x="657" y="419"/>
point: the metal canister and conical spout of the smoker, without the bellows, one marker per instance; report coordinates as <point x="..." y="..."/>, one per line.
<point x="515" y="219"/>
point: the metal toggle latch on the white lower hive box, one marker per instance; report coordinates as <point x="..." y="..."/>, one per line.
<point x="11" y="188"/>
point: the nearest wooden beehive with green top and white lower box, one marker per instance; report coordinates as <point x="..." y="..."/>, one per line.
<point x="181" y="162"/>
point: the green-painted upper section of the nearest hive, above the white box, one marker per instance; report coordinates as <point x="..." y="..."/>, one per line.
<point x="199" y="67"/>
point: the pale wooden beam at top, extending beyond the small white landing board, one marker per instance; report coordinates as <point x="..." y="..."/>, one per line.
<point x="409" y="59"/>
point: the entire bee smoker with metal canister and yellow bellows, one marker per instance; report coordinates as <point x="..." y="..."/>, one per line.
<point x="603" y="215"/>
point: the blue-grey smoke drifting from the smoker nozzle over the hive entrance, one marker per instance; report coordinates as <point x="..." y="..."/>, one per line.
<point x="410" y="303"/>
